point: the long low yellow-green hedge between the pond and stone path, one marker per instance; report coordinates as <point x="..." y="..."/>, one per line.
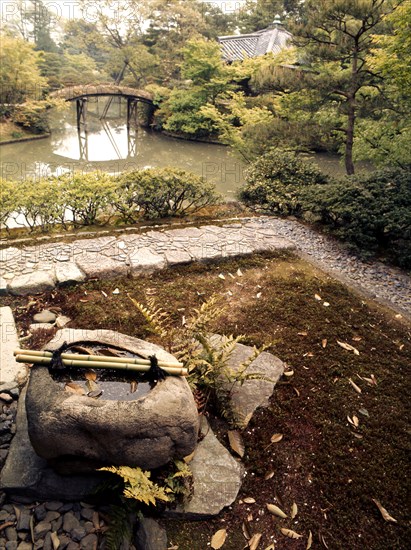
<point x="95" y="197"/>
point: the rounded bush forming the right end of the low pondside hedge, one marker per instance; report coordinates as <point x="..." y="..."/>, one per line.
<point x="161" y="193"/>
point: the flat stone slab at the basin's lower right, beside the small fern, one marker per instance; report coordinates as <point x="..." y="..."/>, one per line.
<point x="217" y="478"/>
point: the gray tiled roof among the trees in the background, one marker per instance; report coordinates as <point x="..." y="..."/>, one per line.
<point x="270" y="40"/>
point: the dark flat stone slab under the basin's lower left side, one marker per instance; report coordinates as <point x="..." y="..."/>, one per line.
<point x="27" y="475"/>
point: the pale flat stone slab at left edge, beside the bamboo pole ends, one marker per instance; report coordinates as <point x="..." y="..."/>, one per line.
<point x="10" y="370"/>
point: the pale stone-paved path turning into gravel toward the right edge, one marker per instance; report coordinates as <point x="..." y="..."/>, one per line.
<point x="33" y="269"/>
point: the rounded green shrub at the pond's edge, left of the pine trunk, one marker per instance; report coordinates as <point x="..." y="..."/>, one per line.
<point x="276" y="179"/>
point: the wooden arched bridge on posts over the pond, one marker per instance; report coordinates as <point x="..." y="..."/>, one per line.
<point x="81" y="93"/>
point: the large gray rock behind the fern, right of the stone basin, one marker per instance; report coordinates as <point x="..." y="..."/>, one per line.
<point x="245" y="398"/>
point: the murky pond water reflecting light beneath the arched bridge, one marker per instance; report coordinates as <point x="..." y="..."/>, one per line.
<point x="111" y="148"/>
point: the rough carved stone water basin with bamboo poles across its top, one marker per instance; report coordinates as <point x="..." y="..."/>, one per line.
<point x="76" y="433"/>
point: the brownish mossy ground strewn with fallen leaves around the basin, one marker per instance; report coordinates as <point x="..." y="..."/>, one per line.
<point x="331" y="469"/>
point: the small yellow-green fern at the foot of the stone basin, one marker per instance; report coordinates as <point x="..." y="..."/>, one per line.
<point x="138" y="485"/>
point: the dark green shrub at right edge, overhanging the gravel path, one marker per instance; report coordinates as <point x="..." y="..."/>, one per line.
<point x="372" y="211"/>
